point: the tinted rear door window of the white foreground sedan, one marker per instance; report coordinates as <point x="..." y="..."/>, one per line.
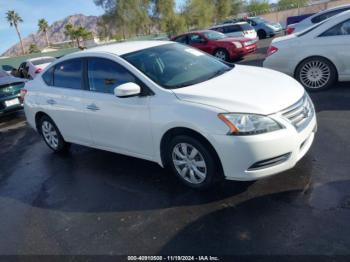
<point x="68" y="74"/>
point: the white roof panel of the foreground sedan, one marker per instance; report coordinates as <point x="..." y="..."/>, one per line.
<point x="126" y="47"/>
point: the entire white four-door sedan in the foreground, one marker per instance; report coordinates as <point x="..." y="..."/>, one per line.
<point x="176" y="106"/>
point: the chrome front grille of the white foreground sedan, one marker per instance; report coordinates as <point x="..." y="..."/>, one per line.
<point x="299" y="114"/>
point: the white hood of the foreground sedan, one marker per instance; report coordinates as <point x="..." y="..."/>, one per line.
<point x="245" y="89"/>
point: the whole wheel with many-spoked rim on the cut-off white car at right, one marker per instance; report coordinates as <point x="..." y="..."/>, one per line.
<point x="316" y="74"/>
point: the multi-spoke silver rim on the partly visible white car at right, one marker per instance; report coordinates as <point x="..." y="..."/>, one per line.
<point x="315" y="74"/>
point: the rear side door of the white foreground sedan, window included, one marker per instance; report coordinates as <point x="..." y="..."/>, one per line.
<point x="65" y="99"/>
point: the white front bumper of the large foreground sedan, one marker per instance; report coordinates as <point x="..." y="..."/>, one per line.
<point x="240" y="155"/>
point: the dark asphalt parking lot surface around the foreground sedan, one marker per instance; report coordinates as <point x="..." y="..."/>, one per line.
<point x="96" y="202"/>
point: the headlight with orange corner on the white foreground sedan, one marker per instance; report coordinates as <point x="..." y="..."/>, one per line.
<point x="249" y="124"/>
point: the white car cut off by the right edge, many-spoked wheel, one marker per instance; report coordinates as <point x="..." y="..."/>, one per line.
<point x="318" y="56"/>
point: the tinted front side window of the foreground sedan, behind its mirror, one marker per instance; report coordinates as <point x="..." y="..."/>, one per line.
<point x="104" y="75"/>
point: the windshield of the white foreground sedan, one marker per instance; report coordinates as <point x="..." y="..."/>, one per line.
<point x="175" y="65"/>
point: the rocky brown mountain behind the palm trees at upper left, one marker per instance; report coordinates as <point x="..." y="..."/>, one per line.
<point x="55" y="33"/>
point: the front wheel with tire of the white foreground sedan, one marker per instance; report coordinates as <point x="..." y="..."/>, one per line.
<point x="196" y="171"/>
